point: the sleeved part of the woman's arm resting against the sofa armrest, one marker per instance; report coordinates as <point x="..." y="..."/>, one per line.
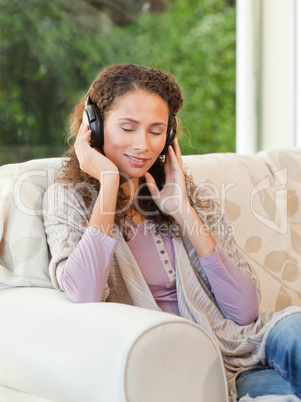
<point x="80" y="255"/>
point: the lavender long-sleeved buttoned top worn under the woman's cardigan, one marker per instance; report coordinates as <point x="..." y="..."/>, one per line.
<point x="87" y="269"/>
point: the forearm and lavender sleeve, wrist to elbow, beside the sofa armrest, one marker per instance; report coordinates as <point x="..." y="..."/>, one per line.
<point x="87" y="269"/>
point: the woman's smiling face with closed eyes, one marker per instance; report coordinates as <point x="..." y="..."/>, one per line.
<point x="135" y="132"/>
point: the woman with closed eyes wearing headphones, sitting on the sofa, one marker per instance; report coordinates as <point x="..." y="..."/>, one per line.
<point x="126" y="224"/>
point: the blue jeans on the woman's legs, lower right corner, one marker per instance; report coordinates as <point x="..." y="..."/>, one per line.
<point x="283" y="353"/>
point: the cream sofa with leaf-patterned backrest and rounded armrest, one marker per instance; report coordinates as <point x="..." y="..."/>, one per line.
<point x="54" y="350"/>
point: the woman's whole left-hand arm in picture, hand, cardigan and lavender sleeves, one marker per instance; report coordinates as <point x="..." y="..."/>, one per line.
<point x="81" y="252"/>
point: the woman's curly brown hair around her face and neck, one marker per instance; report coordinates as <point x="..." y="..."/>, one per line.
<point x="111" y="83"/>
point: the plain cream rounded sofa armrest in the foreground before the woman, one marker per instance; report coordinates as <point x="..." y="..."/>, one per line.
<point x="60" y="351"/>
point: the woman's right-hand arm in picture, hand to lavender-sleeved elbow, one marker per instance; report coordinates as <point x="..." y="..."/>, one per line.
<point x="234" y="288"/>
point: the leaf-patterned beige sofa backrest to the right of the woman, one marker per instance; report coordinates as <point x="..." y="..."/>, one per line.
<point x="261" y="196"/>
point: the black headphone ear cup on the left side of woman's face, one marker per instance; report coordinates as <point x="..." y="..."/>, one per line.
<point x="93" y="119"/>
